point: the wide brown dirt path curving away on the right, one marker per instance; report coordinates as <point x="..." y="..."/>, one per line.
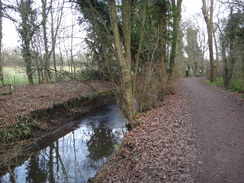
<point x="220" y="130"/>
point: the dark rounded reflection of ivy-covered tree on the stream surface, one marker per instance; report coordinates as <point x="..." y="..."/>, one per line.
<point x="101" y="143"/>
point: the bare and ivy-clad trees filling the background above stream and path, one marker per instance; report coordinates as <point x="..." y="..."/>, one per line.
<point x="141" y="46"/>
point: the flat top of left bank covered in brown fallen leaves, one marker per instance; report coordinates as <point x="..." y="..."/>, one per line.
<point x="26" y="99"/>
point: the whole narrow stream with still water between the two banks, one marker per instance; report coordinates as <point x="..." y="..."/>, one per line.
<point x="77" y="155"/>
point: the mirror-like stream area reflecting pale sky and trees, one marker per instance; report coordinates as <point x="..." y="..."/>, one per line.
<point x="74" y="157"/>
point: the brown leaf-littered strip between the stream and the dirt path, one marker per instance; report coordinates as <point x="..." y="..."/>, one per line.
<point x="162" y="149"/>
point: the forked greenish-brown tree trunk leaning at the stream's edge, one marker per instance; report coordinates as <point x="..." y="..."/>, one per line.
<point x="124" y="61"/>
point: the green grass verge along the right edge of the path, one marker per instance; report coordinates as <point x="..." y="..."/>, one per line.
<point x="236" y="85"/>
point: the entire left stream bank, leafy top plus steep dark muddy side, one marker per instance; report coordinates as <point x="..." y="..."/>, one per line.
<point x="50" y="106"/>
